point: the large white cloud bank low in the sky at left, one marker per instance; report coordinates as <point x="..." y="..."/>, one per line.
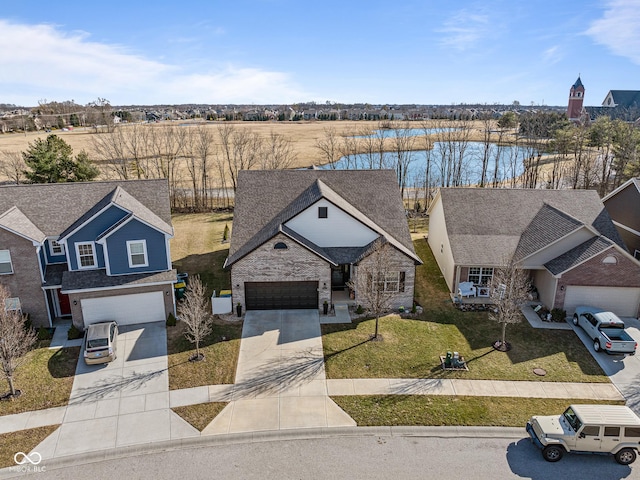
<point x="39" y="61"/>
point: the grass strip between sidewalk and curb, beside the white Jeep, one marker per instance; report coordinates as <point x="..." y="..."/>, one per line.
<point x="416" y="410"/>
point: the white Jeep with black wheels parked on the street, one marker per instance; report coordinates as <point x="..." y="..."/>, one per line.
<point x="612" y="429"/>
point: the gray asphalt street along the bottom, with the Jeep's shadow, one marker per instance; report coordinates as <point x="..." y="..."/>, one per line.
<point x="360" y="457"/>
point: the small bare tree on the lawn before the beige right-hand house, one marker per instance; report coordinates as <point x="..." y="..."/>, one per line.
<point x="509" y="292"/>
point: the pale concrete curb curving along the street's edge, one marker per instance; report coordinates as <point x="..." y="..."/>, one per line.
<point x="273" y="436"/>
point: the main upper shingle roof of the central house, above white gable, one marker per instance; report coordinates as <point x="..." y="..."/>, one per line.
<point x="265" y="199"/>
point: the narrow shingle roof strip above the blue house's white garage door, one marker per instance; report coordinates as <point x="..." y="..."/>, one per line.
<point x="96" y="279"/>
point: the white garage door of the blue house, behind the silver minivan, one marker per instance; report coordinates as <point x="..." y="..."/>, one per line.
<point x="124" y="309"/>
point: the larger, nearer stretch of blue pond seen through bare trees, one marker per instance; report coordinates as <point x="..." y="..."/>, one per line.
<point x="468" y="155"/>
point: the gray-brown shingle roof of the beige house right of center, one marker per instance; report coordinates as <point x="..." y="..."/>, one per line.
<point x="485" y="225"/>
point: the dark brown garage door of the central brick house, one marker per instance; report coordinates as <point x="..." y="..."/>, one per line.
<point x="280" y="295"/>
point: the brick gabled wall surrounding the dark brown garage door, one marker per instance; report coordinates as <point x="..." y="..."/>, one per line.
<point x="266" y="264"/>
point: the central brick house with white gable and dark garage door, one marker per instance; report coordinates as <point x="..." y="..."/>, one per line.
<point x="299" y="236"/>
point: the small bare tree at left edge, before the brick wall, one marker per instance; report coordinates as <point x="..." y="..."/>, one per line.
<point x="15" y="340"/>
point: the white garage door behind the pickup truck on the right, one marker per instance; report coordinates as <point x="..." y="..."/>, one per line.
<point x="622" y="301"/>
